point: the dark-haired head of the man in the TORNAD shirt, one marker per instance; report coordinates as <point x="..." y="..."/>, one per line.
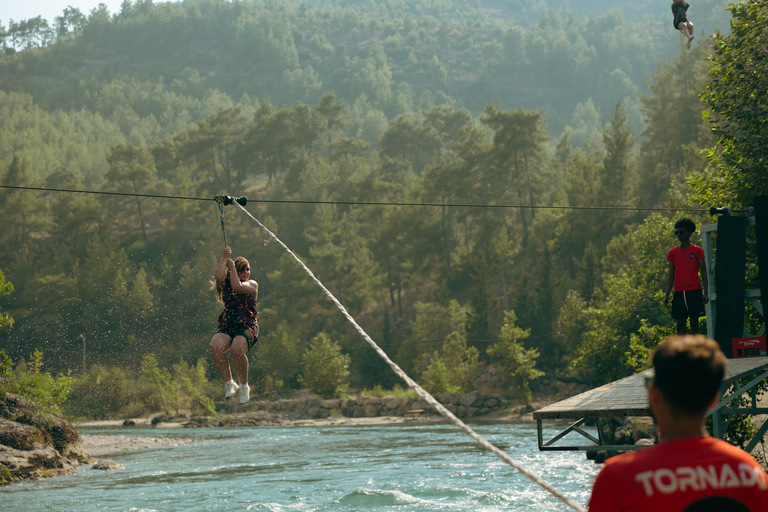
<point x="688" y="371"/>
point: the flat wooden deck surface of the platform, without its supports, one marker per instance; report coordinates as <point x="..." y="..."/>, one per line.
<point x="629" y="397"/>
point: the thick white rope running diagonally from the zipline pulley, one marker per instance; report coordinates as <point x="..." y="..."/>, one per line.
<point x="421" y="392"/>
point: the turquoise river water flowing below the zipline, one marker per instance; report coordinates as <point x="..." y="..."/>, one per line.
<point x="317" y="469"/>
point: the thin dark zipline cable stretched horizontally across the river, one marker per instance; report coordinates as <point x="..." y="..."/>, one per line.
<point x="373" y="203"/>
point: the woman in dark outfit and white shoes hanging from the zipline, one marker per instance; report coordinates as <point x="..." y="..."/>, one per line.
<point x="238" y="323"/>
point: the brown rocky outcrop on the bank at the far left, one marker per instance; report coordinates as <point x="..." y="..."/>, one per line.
<point x="34" y="445"/>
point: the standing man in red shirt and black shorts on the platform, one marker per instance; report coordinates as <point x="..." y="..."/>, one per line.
<point x="685" y="262"/>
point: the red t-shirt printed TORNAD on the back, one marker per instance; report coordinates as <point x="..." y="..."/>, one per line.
<point x="697" y="474"/>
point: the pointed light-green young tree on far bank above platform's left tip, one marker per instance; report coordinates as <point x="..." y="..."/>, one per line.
<point x="518" y="362"/>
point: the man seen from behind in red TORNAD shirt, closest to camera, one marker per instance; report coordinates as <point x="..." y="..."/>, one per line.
<point x="688" y="470"/>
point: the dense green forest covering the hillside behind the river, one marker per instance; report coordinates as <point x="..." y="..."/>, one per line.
<point x="480" y="184"/>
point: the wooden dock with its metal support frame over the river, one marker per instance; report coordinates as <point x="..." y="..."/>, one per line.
<point x="629" y="397"/>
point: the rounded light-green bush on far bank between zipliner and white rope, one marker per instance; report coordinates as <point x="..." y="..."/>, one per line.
<point x="325" y="368"/>
